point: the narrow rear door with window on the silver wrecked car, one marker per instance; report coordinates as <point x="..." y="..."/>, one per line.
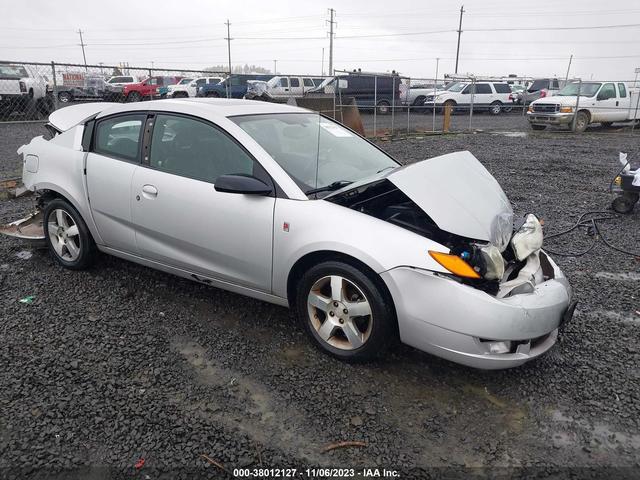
<point x="112" y="160"/>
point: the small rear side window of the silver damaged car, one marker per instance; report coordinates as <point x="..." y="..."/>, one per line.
<point x="119" y="137"/>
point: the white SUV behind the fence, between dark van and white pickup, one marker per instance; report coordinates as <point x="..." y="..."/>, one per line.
<point x="489" y="96"/>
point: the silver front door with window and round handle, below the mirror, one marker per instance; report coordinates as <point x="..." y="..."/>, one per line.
<point x="182" y="221"/>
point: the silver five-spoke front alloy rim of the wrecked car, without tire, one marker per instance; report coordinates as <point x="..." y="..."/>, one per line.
<point x="339" y="312"/>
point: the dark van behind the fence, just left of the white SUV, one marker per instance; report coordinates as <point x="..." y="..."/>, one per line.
<point x="369" y="90"/>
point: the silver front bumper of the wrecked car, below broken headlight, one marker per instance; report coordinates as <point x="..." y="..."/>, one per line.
<point x="455" y="321"/>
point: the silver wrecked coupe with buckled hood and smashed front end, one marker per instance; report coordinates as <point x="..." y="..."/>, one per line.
<point x="255" y="193"/>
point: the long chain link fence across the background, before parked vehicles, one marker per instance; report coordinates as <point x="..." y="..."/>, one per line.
<point x="386" y="104"/>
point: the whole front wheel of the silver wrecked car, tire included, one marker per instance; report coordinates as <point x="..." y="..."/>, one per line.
<point x="346" y="312"/>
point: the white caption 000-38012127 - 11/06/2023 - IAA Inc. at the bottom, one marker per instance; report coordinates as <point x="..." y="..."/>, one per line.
<point x="315" y="473"/>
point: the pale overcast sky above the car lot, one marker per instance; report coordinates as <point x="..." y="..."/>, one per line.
<point x="373" y="35"/>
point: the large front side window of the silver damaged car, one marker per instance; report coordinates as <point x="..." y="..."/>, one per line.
<point x="195" y="149"/>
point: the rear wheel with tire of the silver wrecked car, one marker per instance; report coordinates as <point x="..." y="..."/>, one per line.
<point x="67" y="236"/>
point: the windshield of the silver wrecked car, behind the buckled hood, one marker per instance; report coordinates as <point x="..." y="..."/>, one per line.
<point x="315" y="151"/>
